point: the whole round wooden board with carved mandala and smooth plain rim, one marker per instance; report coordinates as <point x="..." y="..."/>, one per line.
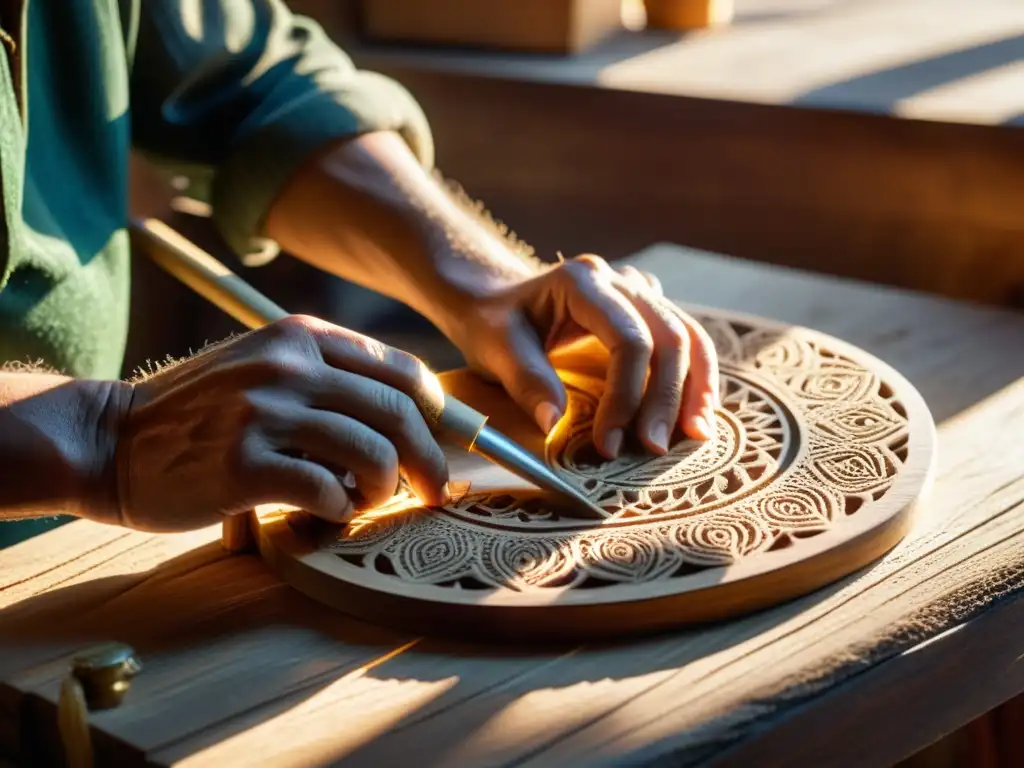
<point x="822" y="452"/>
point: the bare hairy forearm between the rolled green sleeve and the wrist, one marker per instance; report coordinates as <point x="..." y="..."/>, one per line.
<point x="369" y="212"/>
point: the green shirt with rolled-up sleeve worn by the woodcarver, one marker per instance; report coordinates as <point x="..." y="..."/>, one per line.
<point x="233" y="95"/>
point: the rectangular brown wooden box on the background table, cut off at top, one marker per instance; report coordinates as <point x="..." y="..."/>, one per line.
<point x="540" y="26"/>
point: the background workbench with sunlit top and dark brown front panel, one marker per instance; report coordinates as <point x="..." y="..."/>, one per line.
<point x="875" y="140"/>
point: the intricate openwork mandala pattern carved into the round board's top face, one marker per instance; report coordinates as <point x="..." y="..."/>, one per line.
<point x="806" y="439"/>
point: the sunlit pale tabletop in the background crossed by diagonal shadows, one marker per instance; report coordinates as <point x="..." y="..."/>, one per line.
<point x="945" y="61"/>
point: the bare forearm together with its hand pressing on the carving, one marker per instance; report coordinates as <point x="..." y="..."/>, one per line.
<point x="368" y="211"/>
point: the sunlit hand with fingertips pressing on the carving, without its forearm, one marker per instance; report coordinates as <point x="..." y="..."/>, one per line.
<point x="663" y="370"/>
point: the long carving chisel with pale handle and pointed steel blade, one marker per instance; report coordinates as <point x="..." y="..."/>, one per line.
<point x="458" y="422"/>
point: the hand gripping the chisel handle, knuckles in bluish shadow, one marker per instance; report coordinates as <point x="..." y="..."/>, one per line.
<point x="281" y="415"/>
